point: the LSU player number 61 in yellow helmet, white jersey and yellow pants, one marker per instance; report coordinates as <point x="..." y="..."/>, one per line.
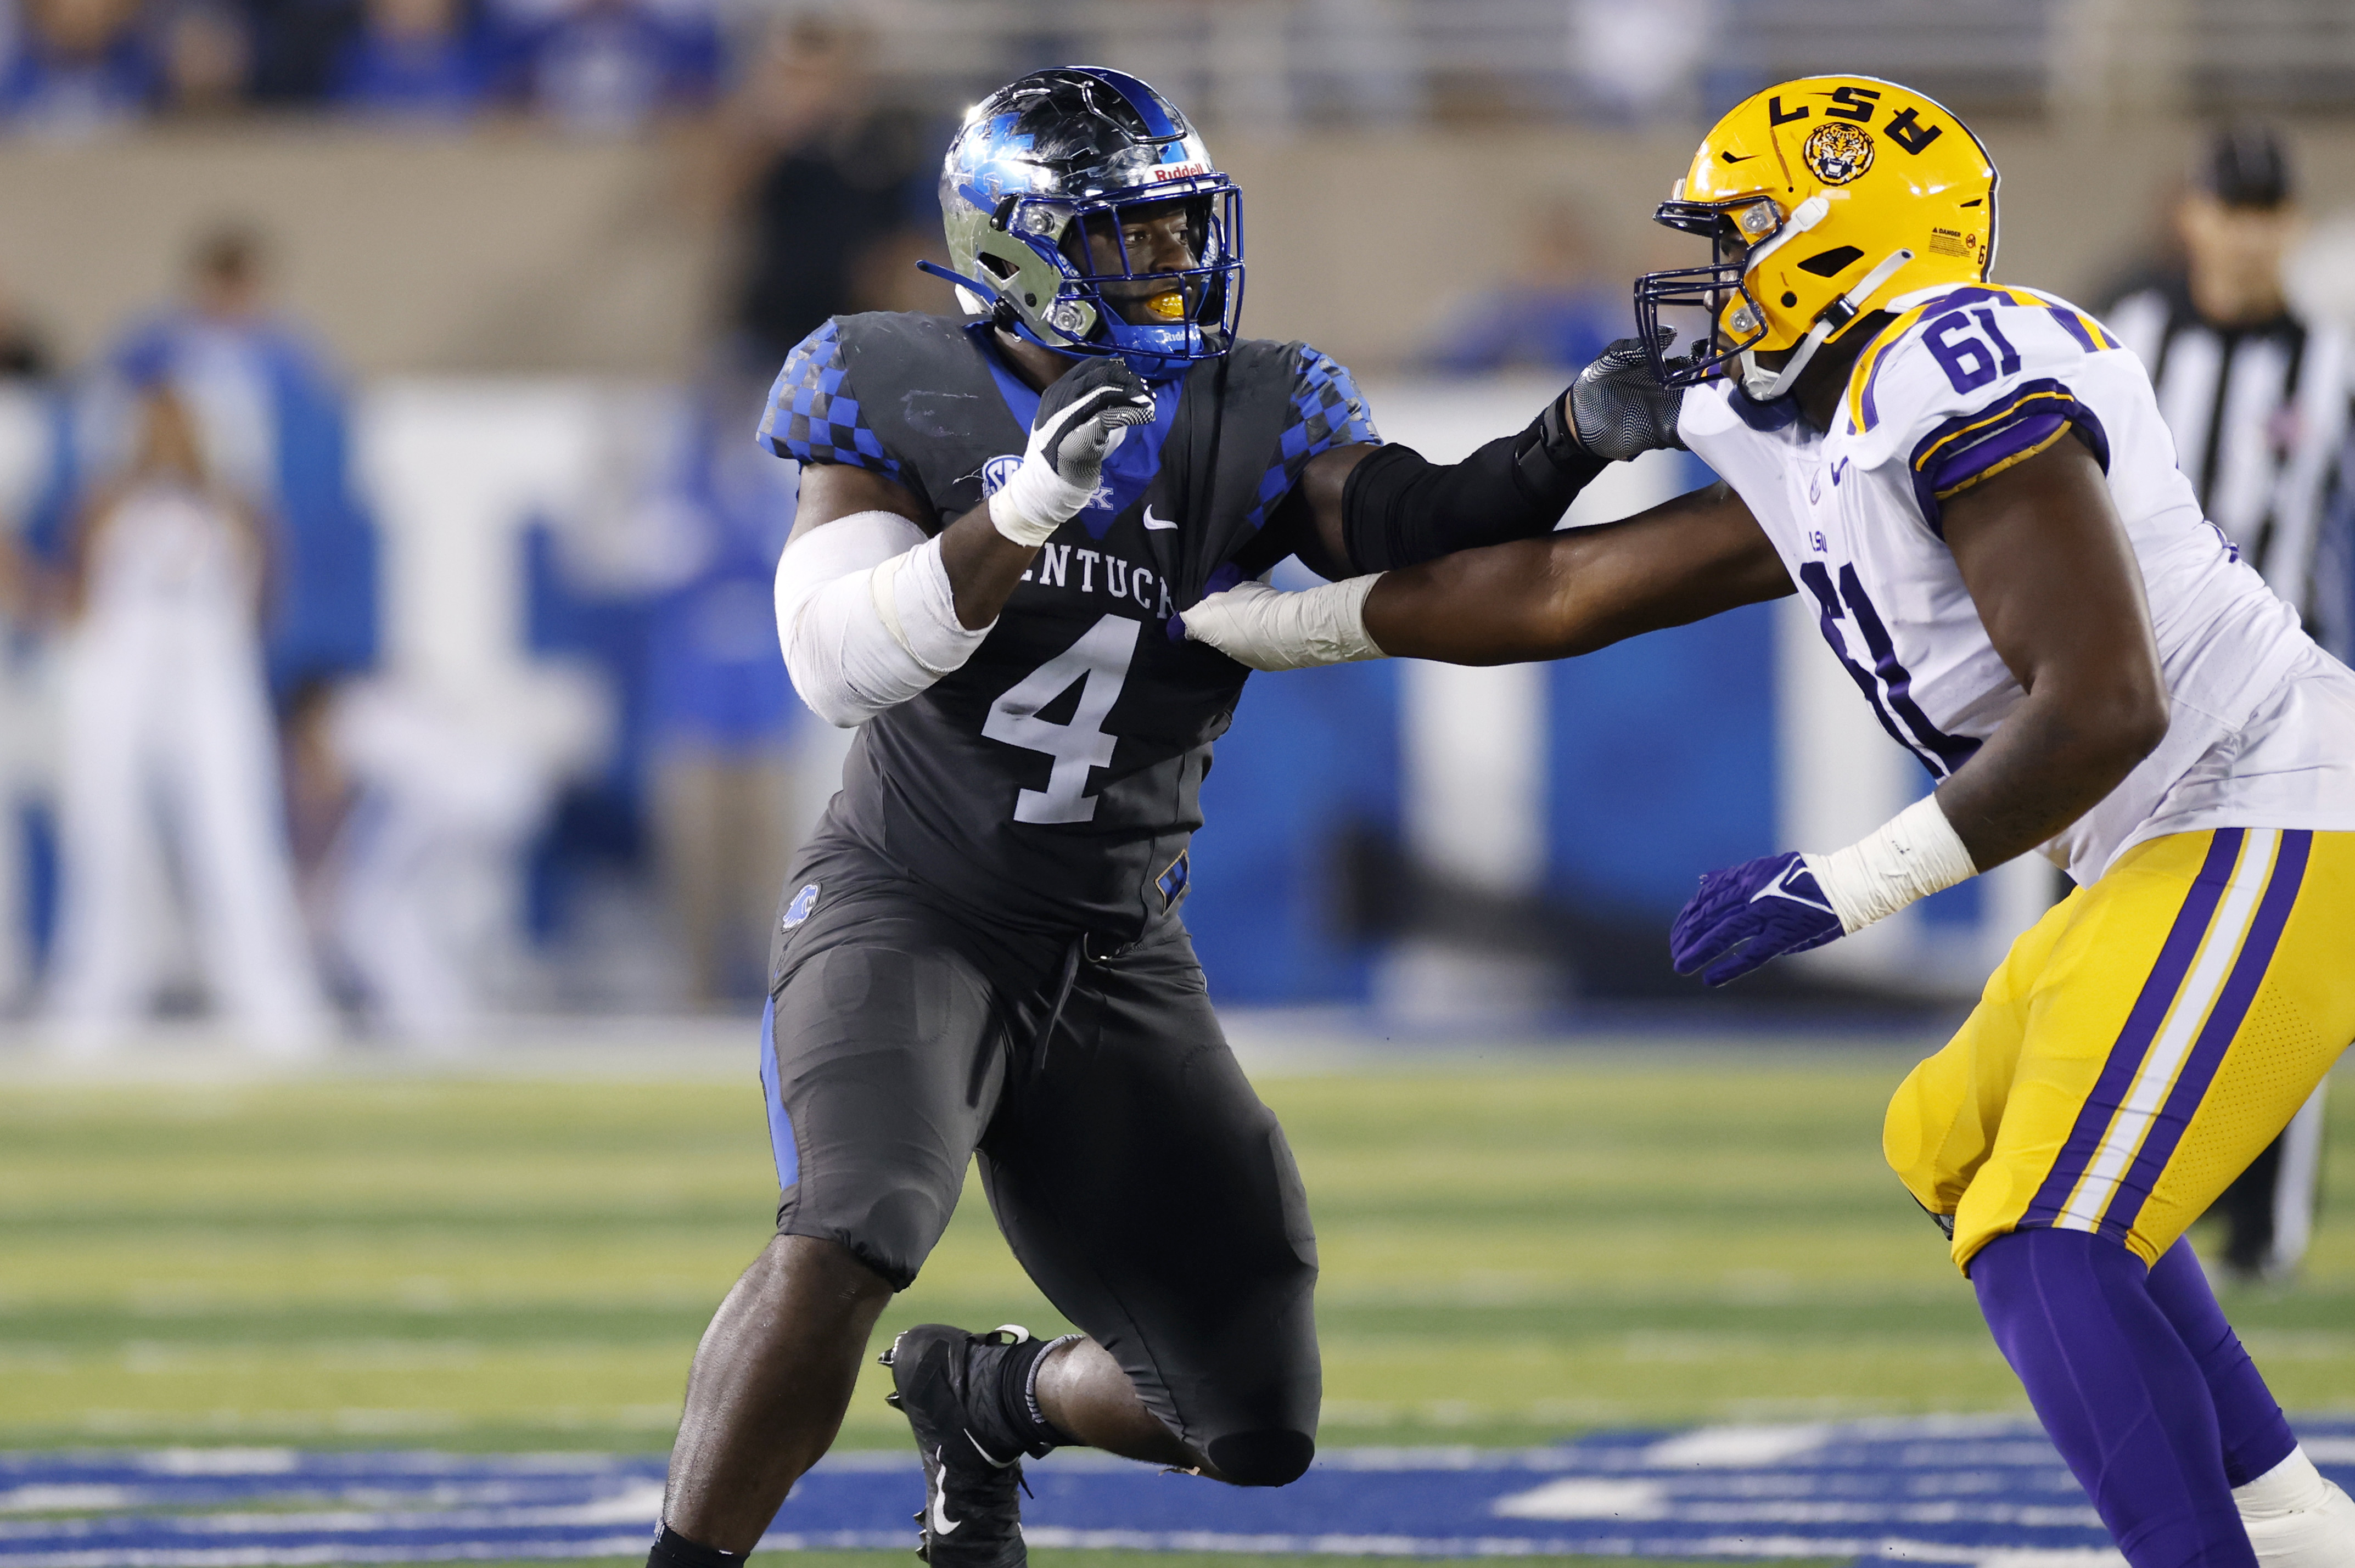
<point x="1977" y="493"/>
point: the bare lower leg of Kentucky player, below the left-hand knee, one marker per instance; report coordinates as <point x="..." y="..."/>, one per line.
<point x="769" y="1393"/>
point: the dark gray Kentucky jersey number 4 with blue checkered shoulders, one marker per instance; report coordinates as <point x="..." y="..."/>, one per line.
<point x="1056" y="778"/>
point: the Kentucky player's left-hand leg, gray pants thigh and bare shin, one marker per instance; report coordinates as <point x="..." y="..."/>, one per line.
<point x="882" y="1063"/>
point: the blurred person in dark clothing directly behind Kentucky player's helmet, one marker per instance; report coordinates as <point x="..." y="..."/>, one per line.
<point x="835" y="194"/>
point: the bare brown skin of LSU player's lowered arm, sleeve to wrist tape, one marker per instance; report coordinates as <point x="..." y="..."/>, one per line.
<point x="2062" y="599"/>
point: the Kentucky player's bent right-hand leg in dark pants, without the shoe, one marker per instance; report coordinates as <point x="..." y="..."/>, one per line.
<point x="1153" y="1197"/>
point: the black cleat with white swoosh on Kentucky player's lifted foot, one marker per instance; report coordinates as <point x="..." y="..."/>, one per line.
<point x="971" y="1508"/>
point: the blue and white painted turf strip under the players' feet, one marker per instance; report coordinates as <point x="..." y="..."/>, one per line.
<point x="1925" y="1489"/>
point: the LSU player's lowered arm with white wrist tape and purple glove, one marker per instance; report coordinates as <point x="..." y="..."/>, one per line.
<point x="2062" y="599"/>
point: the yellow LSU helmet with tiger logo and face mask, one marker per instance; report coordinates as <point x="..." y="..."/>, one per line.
<point x="1824" y="197"/>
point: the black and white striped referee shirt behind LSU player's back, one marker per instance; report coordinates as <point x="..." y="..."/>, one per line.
<point x="2260" y="420"/>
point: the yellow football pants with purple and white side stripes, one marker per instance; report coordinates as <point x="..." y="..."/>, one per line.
<point x="2142" y="1044"/>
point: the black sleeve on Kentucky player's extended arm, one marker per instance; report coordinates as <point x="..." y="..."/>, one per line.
<point x="1400" y="510"/>
